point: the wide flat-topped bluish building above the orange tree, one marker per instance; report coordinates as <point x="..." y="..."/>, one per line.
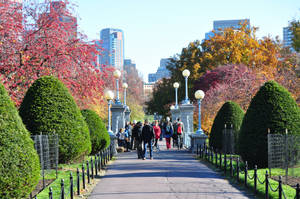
<point x="220" y="25"/>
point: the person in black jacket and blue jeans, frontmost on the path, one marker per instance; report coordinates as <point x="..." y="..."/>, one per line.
<point x="147" y="136"/>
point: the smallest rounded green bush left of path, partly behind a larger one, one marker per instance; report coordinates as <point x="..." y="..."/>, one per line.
<point x="100" y="138"/>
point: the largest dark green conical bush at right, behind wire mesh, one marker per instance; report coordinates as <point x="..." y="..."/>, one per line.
<point x="272" y="107"/>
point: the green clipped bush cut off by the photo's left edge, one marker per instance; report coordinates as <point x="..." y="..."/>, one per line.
<point x="19" y="162"/>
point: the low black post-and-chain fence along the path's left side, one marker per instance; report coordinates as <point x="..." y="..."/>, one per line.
<point x="90" y="170"/>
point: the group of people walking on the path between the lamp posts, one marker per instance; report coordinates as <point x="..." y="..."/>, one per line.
<point x="141" y="136"/>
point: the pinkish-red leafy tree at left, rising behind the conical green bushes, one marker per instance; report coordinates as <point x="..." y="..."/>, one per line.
<point x="42" y="39"/>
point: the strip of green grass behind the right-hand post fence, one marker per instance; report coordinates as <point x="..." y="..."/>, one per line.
<point x="288" y="191"/>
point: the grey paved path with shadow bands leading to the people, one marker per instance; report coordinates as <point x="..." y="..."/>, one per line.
<point x="172" y="174"/>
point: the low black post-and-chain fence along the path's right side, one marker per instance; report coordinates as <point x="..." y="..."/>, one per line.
<point x="236" y="170"/>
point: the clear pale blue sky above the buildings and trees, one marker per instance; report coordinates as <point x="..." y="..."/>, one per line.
<point x="156" y="29"/>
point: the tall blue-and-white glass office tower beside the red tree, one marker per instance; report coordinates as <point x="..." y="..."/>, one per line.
<point x="112" y="43"/>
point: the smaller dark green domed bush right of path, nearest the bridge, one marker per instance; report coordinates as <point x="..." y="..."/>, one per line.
<point x="229" y="113"/>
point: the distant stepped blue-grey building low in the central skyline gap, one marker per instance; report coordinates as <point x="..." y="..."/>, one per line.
<point x="162" y="71"/>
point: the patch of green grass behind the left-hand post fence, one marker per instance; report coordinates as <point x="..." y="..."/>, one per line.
<point x="64" y="171"/>
